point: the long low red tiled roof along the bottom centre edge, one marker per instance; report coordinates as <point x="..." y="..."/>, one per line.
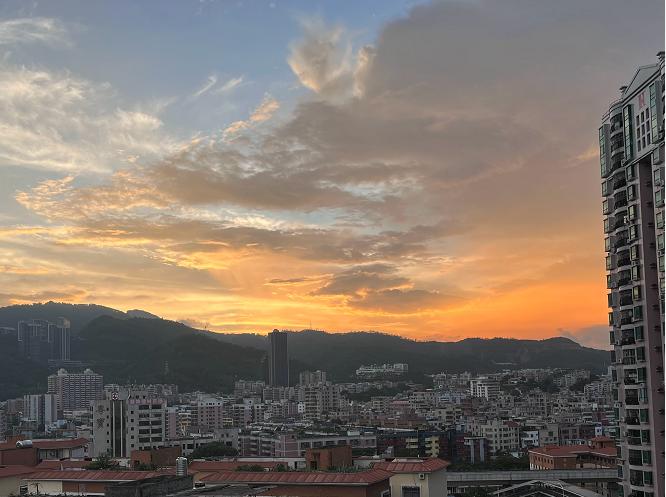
<point x="299" y="478"/>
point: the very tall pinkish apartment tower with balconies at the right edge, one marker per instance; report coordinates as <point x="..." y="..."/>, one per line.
<point x="631" y="145"/>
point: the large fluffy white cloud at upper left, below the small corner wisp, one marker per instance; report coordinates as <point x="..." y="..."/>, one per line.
<point x="55" y="120"/>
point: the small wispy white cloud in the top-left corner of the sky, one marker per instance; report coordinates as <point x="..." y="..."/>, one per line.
<point x="33" y="30"/>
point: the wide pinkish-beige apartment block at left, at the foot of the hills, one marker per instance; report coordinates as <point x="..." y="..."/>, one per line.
<point x="76" y="390"/>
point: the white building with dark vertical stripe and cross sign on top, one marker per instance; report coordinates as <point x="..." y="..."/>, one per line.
<point x="128" y="420"/>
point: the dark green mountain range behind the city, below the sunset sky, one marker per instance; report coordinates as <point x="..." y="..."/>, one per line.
<point x="137" y="346"/>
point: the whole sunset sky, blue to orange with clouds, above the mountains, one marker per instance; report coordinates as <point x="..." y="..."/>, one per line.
<point x="428" y="169"/>
